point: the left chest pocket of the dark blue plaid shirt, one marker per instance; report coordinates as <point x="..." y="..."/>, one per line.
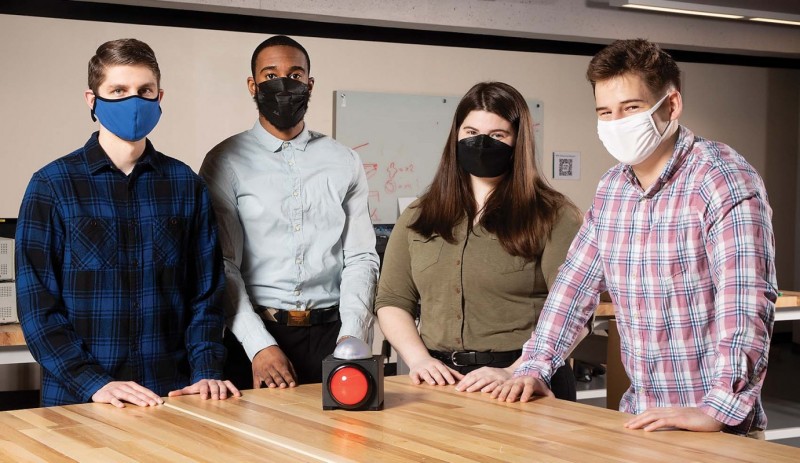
<point x="94" y="243"/>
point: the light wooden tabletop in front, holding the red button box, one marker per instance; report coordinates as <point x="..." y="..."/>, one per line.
<point x="434" y="424"/>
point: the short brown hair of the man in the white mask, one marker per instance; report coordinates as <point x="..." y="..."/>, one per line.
<point x="638" y="56"/>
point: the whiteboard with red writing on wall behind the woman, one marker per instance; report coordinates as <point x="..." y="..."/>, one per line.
<point x="400" y="139"/>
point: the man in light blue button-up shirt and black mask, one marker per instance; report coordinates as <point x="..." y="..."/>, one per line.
<point x="299" y="246"/>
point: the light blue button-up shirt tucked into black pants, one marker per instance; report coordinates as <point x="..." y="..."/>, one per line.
<point x="295" y="230"/>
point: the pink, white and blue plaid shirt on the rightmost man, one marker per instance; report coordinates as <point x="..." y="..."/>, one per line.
<point x="690" y="267"/>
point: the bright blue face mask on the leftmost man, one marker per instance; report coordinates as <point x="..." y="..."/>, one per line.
<point x="130" y="118"/>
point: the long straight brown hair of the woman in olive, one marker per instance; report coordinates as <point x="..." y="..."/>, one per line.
<point x="522" y="209"/>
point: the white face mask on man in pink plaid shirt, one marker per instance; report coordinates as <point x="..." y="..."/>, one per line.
<point x="634" y="138"/>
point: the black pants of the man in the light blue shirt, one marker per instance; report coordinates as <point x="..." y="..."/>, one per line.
<point x="305" y="346"/>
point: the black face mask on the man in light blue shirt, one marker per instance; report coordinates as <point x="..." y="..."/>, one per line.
<point x="283" y="101"/>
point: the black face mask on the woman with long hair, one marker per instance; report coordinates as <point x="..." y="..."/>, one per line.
<point x="484" y="156"/>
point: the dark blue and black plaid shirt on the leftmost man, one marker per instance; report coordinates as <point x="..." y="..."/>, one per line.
<point x="118" y="277"/>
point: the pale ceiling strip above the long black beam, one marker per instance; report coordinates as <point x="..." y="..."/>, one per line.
<point x="592" y="21"/>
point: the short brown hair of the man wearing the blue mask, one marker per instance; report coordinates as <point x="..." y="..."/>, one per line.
<point x="121" y="52"/>
